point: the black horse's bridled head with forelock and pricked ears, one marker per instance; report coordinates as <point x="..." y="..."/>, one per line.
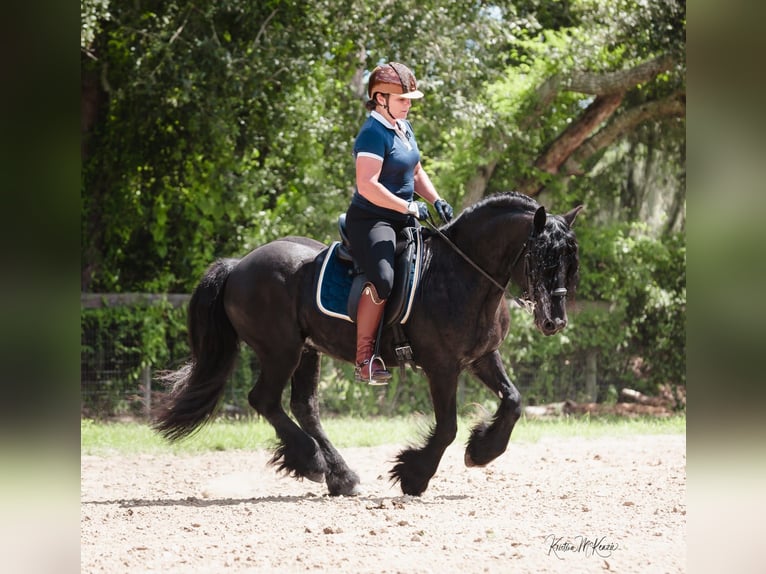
<point x="551" y="265"/>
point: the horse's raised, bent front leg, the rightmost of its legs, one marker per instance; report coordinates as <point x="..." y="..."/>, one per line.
<point x="489" y="439"/>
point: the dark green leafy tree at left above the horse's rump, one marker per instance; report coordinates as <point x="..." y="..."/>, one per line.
<point x="198" y="119"/>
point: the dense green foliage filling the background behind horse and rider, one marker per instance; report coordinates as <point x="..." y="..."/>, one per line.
<point x="214" y="127"/>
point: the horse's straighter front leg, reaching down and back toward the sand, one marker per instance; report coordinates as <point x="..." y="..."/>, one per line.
<point x="416" y="466"/>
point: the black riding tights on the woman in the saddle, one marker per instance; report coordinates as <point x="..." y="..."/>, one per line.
<point x="373" y="243"/>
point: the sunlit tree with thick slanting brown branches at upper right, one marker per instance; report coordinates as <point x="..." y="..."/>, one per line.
<point x="573" y="93"/>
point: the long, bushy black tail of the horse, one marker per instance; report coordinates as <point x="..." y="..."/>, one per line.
<point x="197" y="387"/>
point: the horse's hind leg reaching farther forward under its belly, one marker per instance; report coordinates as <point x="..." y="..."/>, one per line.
<point x="341" y="480"/>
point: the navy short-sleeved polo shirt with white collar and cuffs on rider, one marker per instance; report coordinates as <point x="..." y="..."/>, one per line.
<point x="399" y="156"/>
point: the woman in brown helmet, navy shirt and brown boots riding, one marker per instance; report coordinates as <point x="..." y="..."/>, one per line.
<point x="388" y="174"/>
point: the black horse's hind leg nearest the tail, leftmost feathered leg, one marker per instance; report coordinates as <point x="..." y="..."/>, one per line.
<point x="298" y="454"/>
